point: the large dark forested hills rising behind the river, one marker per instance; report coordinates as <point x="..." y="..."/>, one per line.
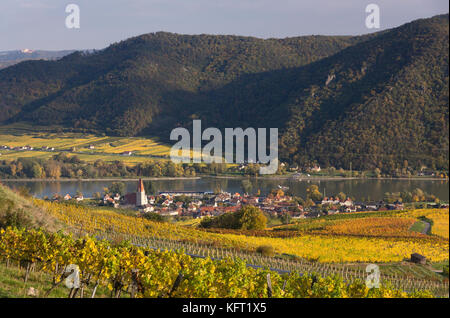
<point x="374" y="100"/>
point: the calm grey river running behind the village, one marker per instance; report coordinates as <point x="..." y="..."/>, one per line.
<point x="360" y="189"/>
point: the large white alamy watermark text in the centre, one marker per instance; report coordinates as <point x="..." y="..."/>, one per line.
<point x="257" y="147"/>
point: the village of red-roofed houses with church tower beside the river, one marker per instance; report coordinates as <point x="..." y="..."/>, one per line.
<point x="197" y="204"/>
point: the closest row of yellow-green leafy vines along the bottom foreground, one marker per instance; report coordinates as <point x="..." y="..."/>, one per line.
<point x="143" y="272"/>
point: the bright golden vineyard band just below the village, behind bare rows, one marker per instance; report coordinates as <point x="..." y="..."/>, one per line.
<point x="322" y="248"/>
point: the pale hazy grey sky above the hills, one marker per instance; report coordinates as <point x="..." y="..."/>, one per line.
<point x="40" y="24"/>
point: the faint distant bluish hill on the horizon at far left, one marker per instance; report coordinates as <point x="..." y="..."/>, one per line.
<point x="8" y="58"/>
